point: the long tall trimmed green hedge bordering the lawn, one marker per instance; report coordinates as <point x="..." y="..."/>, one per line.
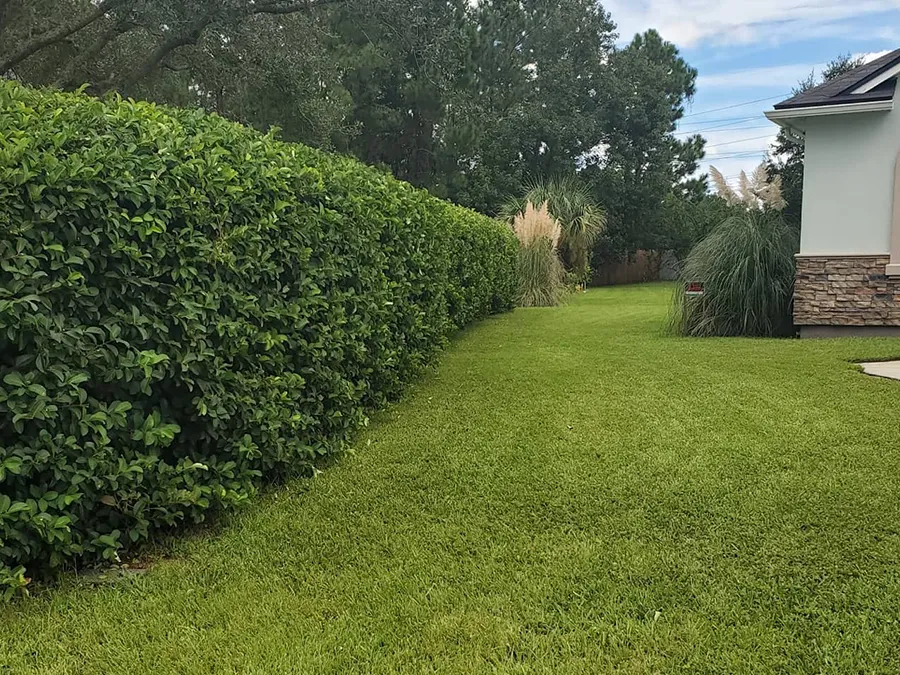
<point x="188" y="308"/>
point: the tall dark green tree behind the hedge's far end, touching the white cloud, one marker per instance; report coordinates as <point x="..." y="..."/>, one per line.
<point x="535" y="101"/>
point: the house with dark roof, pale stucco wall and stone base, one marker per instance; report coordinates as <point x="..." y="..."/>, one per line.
<point x="848" y="268"/>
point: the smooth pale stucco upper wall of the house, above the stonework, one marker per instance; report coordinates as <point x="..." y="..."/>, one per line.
<point x="848" y="183"/>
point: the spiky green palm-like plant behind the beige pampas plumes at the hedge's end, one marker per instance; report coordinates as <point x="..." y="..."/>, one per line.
<point x="571" y="204"/>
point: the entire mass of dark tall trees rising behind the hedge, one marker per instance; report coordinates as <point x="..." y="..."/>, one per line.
<point x="470" y="100"/>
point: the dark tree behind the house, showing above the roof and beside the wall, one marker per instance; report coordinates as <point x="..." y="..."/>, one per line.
<point x="786" y="159"/>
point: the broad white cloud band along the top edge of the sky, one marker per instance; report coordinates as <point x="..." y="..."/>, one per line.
<point x="688" y="22"/>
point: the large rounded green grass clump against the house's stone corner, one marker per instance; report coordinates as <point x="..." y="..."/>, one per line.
<point x="746" y="265"/>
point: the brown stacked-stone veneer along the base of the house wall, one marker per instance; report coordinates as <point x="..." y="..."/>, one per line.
<point x="846" y="291"/>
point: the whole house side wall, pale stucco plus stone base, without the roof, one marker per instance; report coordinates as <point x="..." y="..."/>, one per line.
<point x="842" y="284"/>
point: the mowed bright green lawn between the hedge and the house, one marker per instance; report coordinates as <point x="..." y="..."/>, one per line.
<point x="569" y="492"/>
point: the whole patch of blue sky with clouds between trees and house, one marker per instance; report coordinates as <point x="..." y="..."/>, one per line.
<point x="755" y="50"/>
